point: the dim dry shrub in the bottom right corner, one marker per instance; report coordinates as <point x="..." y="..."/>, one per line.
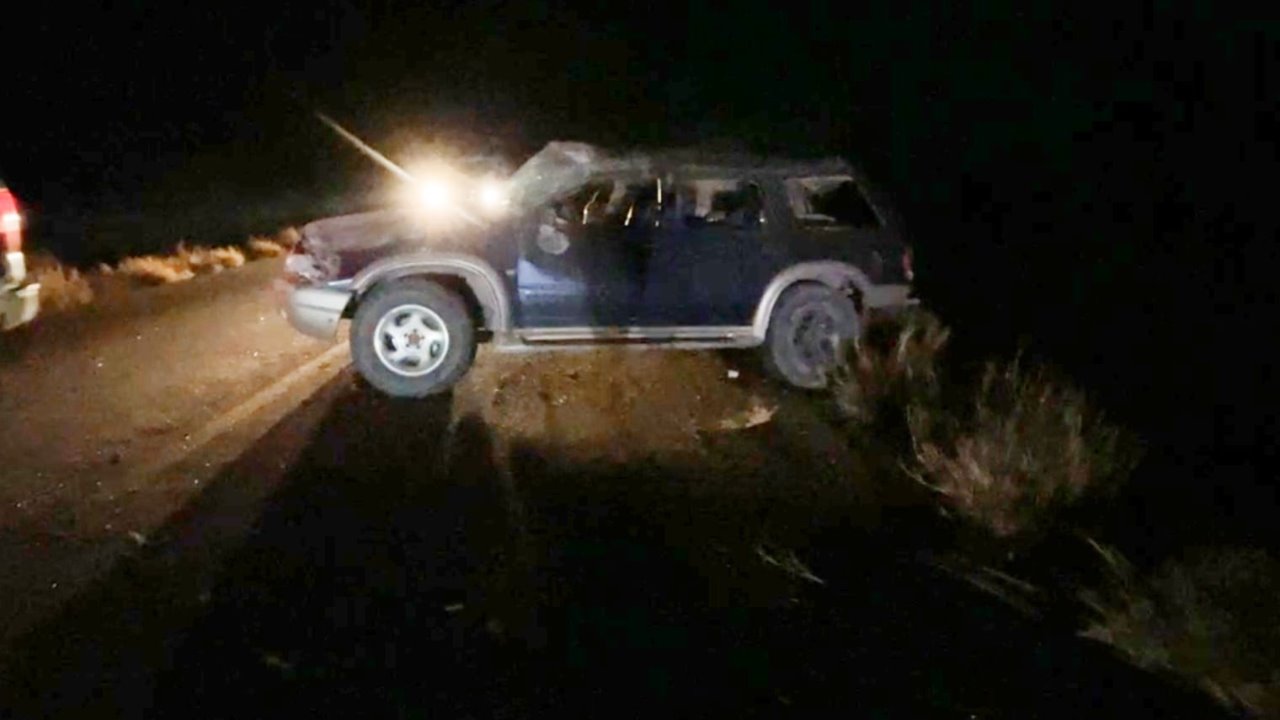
<point x="1213" y="618"/>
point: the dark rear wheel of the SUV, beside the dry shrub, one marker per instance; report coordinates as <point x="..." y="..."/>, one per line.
<point x="799" y="352"/>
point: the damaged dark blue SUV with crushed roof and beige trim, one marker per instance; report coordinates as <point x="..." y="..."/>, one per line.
<point x="580" y="248"/>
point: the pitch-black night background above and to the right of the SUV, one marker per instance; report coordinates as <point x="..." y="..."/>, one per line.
<point x="1091" y="184"/>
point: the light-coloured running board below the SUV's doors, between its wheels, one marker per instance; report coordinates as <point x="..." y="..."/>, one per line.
<point x="682" y="338"/>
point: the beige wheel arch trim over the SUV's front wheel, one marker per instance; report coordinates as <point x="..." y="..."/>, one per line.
<point x="486" y="291"/>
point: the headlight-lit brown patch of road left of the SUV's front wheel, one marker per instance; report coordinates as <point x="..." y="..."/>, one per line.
<point x="92" y="397"/>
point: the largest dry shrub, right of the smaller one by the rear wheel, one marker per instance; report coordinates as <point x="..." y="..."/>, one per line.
<point x="1027" y="448"/>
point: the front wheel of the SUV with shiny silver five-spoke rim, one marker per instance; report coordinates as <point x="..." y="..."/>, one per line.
<point x="432" y="302"/>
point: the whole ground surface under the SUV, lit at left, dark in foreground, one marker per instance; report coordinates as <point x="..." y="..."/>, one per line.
<point x="211" y="517"/>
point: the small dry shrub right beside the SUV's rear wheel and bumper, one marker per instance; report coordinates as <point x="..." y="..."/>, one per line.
<point x="894" y="368"/>
